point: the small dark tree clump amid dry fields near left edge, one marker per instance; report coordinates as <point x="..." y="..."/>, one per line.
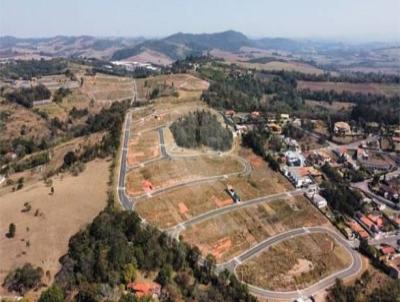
<point x="26" y="96"/>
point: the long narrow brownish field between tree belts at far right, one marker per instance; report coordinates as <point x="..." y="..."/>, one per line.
<point x="373" y="88"/>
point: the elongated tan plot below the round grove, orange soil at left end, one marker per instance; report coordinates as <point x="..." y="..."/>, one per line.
<point x="166" y="173"/>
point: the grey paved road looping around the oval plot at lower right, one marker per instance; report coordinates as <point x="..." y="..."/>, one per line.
<point x="352" y="270"/>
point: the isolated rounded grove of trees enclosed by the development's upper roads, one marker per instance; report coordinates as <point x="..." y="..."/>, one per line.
<point x="201" y="128"/>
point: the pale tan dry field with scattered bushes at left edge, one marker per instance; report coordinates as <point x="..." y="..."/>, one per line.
<point x="42" y="234"/>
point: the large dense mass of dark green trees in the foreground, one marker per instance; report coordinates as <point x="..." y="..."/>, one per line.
<point x="109" y="251"/>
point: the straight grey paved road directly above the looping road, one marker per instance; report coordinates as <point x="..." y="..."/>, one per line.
<point x="224" y="210"/>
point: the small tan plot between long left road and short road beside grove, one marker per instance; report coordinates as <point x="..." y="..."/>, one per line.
<point x="142" y="147"/>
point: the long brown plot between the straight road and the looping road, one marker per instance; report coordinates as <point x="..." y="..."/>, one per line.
<point x="230" y="234"/>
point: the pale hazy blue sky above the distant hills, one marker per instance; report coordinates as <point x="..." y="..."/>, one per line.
<point x="355" y="19"/>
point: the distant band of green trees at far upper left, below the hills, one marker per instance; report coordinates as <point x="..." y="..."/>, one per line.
<point x="33" y="68"/>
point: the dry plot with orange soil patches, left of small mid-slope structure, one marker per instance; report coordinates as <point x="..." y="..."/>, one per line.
<point x="174" y="207"/>
